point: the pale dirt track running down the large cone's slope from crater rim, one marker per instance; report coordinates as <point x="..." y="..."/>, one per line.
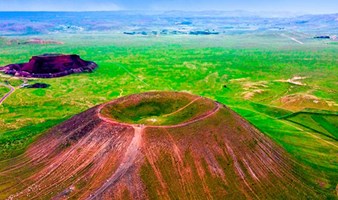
<point x="128" y="160"/>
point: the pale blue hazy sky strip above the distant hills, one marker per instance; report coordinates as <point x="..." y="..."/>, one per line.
<point x="303" y="6"/>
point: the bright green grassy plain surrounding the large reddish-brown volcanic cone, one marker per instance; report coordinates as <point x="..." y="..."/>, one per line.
<point x="245" y="72"/>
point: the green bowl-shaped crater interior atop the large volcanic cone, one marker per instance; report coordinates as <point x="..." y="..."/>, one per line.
<point x="164" y="108"/>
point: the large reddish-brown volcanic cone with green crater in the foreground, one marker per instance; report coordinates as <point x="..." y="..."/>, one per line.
<point x="155" y="145"/>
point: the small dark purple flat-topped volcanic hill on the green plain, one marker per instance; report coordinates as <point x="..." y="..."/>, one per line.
<point x="50" y="66"/>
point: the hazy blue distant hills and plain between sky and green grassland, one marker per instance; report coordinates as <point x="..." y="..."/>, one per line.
<point x="235" y="22"/>
